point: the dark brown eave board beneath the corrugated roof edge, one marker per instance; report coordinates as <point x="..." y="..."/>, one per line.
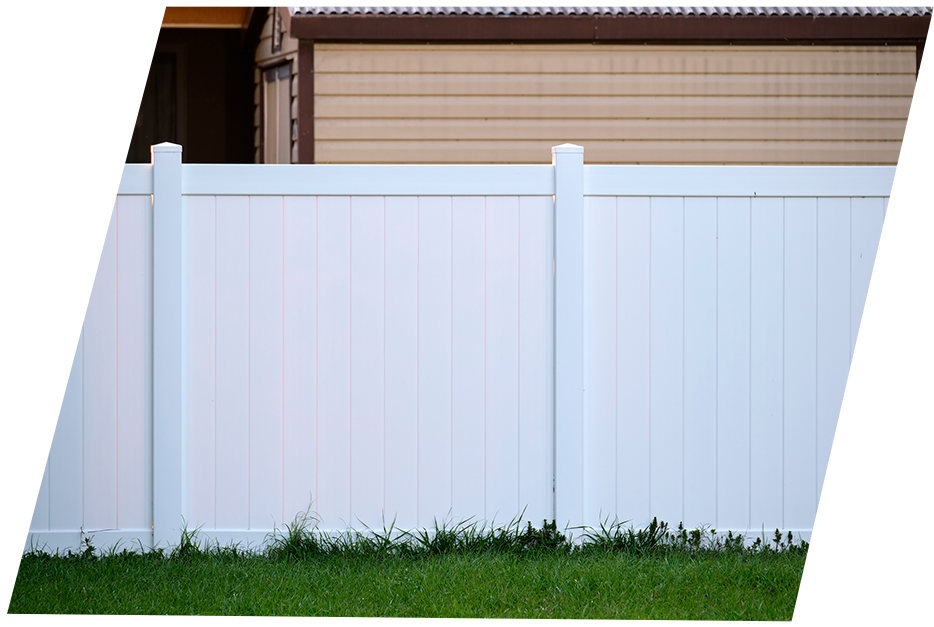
<point x="607" y="29"/>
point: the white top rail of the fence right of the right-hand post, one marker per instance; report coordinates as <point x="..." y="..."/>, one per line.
<point x="753" y="181"/>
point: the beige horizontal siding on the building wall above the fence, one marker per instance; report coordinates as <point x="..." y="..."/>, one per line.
<point x="624" y="104"/>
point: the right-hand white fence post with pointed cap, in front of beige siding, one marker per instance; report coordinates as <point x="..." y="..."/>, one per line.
<point x="568" y="160"/>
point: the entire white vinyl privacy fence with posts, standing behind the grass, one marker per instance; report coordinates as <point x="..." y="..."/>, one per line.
<point x="227" y="346"/>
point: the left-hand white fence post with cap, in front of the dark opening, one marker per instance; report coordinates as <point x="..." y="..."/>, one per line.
<point x="167" y="347"/>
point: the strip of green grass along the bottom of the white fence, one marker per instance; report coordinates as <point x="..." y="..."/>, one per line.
<point x="466" y="573"/>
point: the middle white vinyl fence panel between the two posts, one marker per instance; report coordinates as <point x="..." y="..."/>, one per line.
<point x="408" y="405"/>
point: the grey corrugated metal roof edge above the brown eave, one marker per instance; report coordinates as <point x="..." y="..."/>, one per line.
<point x="621" y="11"/>
